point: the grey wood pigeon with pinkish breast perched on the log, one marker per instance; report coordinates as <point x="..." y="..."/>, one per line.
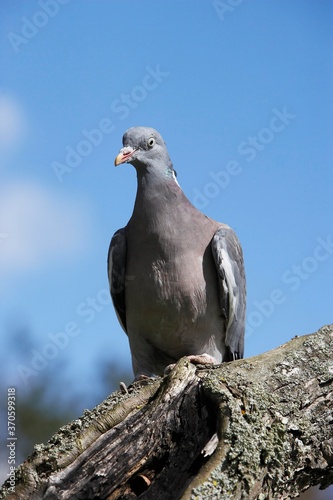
<point x="176" y="276"/>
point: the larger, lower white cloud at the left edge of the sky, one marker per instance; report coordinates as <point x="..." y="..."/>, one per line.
<point x="37" y="227"/>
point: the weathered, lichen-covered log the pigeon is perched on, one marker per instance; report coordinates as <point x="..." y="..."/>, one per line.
<point x="273" y="415"/>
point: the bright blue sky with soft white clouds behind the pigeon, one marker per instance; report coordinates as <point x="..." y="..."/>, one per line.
<point x="243" y="99"/>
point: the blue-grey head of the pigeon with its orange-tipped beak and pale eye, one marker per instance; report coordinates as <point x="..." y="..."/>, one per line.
<point x="145" y="149"/>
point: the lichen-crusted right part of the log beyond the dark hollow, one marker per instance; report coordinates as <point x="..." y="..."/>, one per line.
<point x="278" y="422"/>
